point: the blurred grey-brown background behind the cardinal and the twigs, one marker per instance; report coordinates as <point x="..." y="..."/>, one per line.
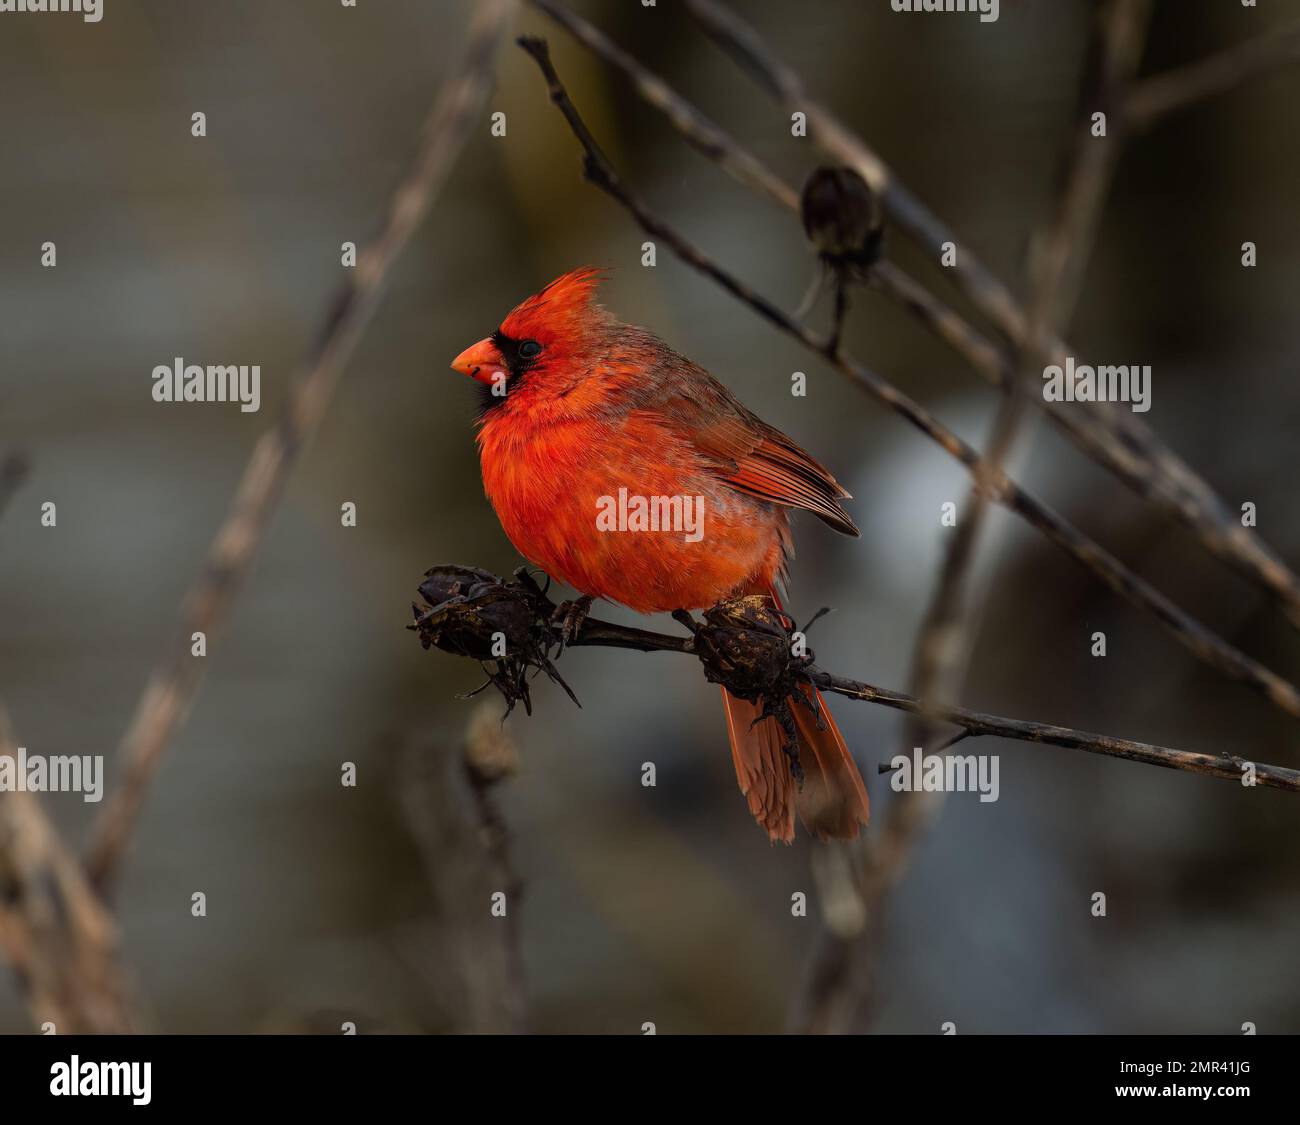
<point x="639" y="905"/>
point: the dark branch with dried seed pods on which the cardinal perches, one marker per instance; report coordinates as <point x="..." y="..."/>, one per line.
<point x="735" y="644"/>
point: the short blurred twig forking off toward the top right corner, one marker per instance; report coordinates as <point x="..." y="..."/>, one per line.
<point x="1155" y="99"/>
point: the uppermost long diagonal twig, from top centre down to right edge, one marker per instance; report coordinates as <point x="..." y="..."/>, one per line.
<point x="1155" y="469"/>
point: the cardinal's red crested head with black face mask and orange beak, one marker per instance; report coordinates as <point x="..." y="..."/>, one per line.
<point x="547" y="344"/>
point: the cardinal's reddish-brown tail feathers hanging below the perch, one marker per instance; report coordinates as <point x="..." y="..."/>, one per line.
<point x="833" y="802"/>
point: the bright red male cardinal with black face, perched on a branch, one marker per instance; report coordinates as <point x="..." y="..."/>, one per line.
<point x="578" y="409"/>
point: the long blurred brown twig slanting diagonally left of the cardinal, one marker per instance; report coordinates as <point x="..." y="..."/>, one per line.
<point x="174" y="687"/>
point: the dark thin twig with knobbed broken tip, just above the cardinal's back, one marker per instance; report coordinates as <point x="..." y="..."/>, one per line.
<point x="1189" y="631"/>
